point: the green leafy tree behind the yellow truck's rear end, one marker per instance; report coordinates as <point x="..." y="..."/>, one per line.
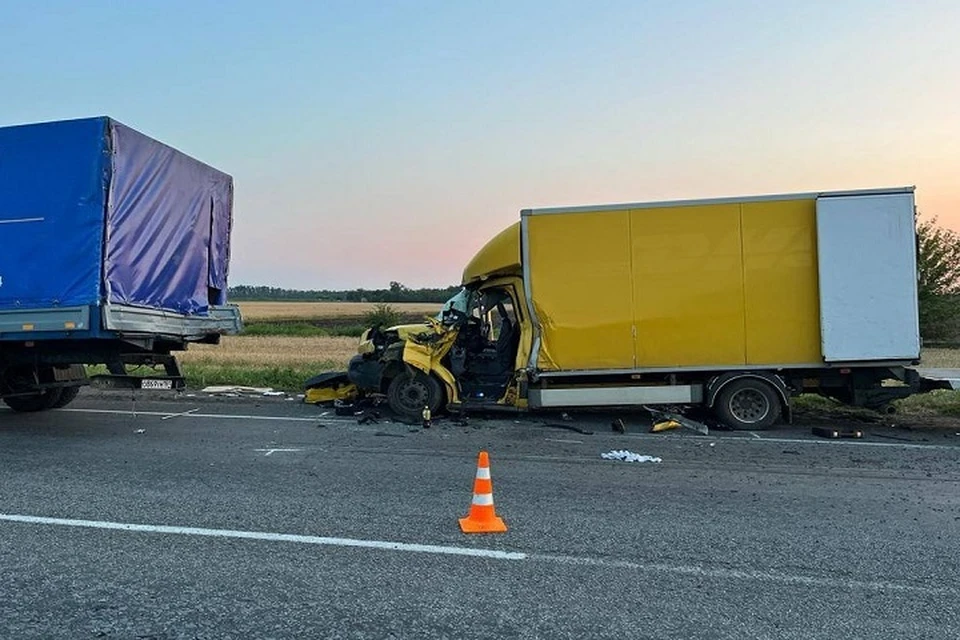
<point x="938" y="264"/>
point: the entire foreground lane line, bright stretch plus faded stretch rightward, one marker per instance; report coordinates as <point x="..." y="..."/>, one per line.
<point x="607" y="563"/>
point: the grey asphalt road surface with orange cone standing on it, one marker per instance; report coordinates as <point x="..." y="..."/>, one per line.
<point x="266" y="519"/>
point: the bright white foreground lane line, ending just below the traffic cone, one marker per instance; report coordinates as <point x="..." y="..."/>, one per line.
<point x="272" y="537"/>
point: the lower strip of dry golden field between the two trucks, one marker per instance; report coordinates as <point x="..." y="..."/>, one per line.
<point x="272" y="351"/>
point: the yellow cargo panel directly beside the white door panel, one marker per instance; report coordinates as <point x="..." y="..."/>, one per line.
<point x="781" y="283"/>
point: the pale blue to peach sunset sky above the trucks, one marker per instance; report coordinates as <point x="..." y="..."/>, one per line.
<point x="373" y="141"/>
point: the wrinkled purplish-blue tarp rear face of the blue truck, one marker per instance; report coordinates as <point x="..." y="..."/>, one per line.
<point x="168" y="225"/>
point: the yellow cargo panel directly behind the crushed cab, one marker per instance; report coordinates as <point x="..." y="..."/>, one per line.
<point x="580" y="276"/>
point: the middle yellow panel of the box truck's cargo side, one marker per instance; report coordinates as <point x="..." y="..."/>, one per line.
<point x="688" y="286"/>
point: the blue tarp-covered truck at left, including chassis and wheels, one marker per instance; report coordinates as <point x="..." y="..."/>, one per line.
<point x="114" y="250"/>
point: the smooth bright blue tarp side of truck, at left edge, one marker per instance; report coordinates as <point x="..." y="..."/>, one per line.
<point x="53" y="183"/>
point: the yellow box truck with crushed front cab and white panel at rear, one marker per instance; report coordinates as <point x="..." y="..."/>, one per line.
<point x="735" y="304"/>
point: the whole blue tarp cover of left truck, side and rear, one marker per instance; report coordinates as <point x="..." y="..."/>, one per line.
<point x="91" y="210"/>
